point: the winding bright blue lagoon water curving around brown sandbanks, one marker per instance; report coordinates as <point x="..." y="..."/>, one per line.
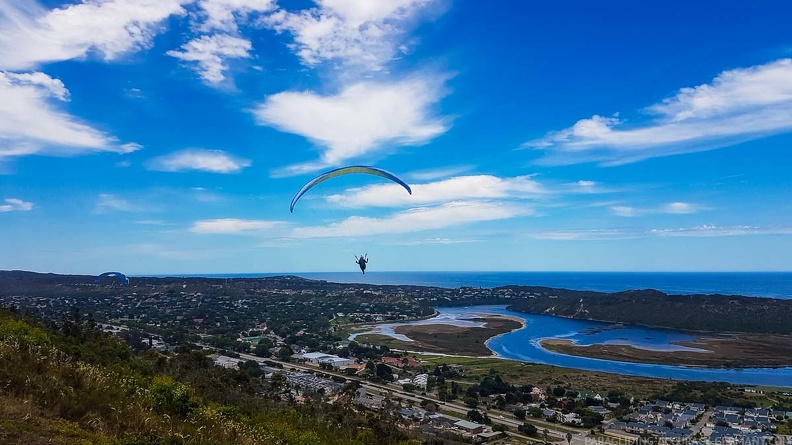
<point x="523" y="345"/>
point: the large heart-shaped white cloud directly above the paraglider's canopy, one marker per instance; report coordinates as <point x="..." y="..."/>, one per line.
<point x="361" y="118"/>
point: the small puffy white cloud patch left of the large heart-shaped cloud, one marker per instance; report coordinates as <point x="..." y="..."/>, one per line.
<point x="211" y="54"/>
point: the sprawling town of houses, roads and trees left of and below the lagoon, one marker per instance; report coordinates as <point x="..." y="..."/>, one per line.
<point x="295" y="332"/>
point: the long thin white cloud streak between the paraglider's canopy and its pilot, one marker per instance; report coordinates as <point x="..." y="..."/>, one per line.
<point x="414" y="220"/>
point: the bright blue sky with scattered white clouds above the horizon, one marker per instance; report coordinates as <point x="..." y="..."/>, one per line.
<point x="169" y="136"/>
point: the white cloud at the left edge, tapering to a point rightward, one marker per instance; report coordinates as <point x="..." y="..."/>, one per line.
<point x="31" y="124"/>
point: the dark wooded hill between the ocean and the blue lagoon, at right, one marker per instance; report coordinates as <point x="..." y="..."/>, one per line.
<point x="649" y="307"/>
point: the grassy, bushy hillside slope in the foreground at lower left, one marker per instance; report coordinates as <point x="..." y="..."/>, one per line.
<point x="79" y="385"/>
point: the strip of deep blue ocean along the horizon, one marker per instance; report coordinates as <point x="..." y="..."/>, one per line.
<point x="752" y="284"/>
